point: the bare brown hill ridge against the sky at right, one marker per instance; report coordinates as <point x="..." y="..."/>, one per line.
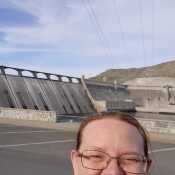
<point x="166" y="69"/>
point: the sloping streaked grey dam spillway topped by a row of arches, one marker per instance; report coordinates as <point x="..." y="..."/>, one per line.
<point x="65" y="97"/>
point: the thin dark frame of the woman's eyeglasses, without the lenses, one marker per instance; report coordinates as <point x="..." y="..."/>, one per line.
<point x="145" y="160"/>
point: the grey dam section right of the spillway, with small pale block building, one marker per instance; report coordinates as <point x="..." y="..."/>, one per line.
<point x="110" y="97"/>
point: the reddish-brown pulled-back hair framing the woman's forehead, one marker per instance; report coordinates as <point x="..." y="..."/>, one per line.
<point x="114" y="115"/>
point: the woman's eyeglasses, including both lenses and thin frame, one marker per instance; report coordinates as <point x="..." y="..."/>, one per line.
<point x="99" y="160"/>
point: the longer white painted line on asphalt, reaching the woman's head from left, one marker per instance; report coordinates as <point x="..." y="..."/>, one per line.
<point x="37" y="143"/>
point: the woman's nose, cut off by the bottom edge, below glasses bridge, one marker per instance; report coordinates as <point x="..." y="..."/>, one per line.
<point x="113" y="168"/>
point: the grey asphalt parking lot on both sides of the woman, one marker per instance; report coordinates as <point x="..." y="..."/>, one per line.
<point x="27" y="150"/>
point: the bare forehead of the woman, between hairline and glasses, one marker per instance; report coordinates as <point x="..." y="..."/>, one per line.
<point x="112" y="134"/>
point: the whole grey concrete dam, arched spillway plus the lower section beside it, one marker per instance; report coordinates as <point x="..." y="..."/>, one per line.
<point x="26" y="89"/>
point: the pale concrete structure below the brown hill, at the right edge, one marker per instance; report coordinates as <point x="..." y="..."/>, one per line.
<point x="153" y="94"/>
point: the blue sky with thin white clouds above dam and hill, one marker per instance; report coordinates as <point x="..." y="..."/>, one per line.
<point x="86" y="37"/>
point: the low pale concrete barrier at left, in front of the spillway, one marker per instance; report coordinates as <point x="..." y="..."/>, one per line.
<point x="28" y="114"/>
